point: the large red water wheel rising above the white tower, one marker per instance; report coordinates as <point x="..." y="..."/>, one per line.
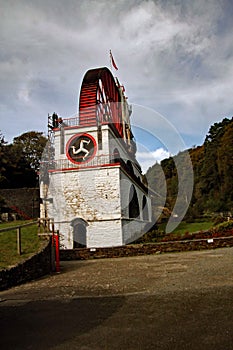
<point x="99" y="101"/>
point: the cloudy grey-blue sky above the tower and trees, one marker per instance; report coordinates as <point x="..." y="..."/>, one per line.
<point x="175" y="58"/>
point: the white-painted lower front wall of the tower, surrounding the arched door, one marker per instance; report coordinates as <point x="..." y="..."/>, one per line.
<point x="90" y="194"/>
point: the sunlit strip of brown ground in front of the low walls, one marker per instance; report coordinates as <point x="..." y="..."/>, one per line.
<point x="152" y="274"/>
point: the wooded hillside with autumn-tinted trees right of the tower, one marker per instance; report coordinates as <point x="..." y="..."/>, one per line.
<point x="213" y="168"/>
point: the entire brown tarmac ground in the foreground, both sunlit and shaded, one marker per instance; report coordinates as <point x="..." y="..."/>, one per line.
<point x="167" y="301"/>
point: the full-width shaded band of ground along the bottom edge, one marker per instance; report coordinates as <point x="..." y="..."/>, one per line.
<point x="184" y="320"/>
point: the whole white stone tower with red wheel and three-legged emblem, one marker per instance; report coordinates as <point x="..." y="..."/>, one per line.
<point x="94" y="189"/>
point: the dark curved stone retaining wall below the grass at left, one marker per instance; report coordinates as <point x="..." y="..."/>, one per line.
<point x="37" y="266"/>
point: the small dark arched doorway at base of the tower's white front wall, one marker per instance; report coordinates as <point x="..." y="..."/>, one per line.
<point x="79" y="233"/>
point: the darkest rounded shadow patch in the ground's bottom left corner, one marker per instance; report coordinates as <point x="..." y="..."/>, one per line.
<point x="44" y="324"/>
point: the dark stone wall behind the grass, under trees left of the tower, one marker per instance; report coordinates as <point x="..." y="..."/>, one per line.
<point x="25" y="202"/>
